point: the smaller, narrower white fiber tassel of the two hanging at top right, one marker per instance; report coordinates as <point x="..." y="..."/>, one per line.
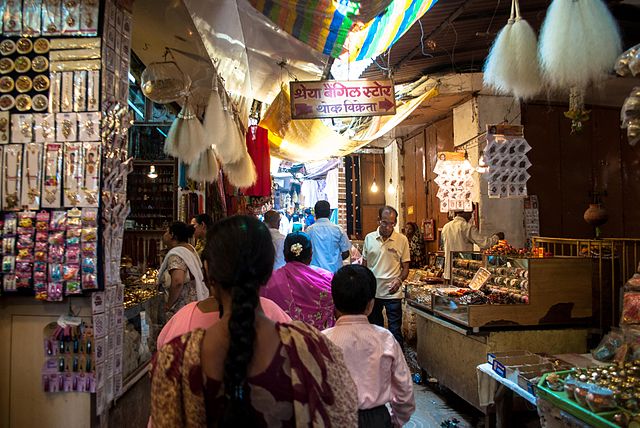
<point x="527" y="80"/>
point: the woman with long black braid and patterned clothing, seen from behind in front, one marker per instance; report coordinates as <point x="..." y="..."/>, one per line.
<point x="246" y="370"/>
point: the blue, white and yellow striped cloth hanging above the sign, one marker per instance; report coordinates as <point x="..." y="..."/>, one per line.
<point x="384" y="30"/>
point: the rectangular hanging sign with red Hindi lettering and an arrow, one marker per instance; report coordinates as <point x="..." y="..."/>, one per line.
<point x="332" y="98"/>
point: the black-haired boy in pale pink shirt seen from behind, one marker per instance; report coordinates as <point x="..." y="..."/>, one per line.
<point x="373" y="356"/>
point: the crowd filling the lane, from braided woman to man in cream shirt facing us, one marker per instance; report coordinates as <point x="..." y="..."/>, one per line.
<point x="246" y="348"/>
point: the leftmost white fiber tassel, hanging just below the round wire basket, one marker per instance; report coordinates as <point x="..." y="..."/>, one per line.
<point x="185" y="139"/>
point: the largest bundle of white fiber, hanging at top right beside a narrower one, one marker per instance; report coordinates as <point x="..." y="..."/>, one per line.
<point x="579" y="43"/>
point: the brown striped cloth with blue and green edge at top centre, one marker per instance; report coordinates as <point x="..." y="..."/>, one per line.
<point x="317" y="23"/>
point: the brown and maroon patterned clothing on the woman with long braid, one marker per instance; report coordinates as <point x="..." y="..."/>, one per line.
<point x="321" y="395"/>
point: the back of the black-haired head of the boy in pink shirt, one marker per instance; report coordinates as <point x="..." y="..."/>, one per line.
<point x="352" y="288"/>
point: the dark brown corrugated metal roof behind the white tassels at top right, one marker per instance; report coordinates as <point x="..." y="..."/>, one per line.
<point x="457" y="35"/>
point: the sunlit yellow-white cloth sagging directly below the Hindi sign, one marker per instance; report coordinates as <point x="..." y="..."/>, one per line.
<point x="310" y="139"/>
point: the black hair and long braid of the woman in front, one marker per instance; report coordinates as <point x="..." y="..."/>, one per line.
<point x="239" y="254"/>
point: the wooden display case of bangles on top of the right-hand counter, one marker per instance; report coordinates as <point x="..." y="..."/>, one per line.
<point x="519" y="292"/>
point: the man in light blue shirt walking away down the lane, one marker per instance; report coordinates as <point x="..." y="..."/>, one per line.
<point x="330" y="244"/>
